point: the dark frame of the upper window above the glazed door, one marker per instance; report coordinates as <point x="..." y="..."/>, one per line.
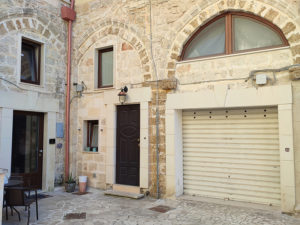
<point x="33" y="45"/>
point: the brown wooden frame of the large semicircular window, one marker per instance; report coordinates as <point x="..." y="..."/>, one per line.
<point x="229" y="34"/>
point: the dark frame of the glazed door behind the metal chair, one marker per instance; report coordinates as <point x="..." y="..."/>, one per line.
<point x="40" y="147"/>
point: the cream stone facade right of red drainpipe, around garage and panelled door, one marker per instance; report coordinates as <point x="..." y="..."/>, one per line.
<point x="148" y="47"/>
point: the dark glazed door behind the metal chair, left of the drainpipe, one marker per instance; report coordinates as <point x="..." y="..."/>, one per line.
<point x="27" y="147"/>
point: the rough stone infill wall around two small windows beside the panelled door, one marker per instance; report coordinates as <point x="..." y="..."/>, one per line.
<point x="127" y="66"/>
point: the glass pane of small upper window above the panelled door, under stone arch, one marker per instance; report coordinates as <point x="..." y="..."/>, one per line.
<point x="107" y="68"/>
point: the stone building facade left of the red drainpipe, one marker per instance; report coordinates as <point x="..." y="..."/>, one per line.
<point x="39" y="24"/>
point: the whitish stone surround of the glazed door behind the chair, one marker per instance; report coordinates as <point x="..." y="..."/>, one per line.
<point x="29" y="101"/>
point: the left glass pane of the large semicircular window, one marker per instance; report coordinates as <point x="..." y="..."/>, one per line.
<point x="209" y="41"/>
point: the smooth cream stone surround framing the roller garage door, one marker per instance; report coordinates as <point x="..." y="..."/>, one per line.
<point x="280" y="96"/>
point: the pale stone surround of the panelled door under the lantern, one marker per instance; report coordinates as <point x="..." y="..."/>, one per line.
<point x="141" y="96"/>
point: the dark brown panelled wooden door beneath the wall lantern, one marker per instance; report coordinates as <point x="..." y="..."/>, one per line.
<point x="128" y="144"/>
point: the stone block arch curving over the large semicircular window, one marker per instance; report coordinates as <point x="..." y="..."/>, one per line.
<point x="274" y="15"/>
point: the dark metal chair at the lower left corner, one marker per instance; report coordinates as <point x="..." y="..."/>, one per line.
<point x="15" y="196"/>
